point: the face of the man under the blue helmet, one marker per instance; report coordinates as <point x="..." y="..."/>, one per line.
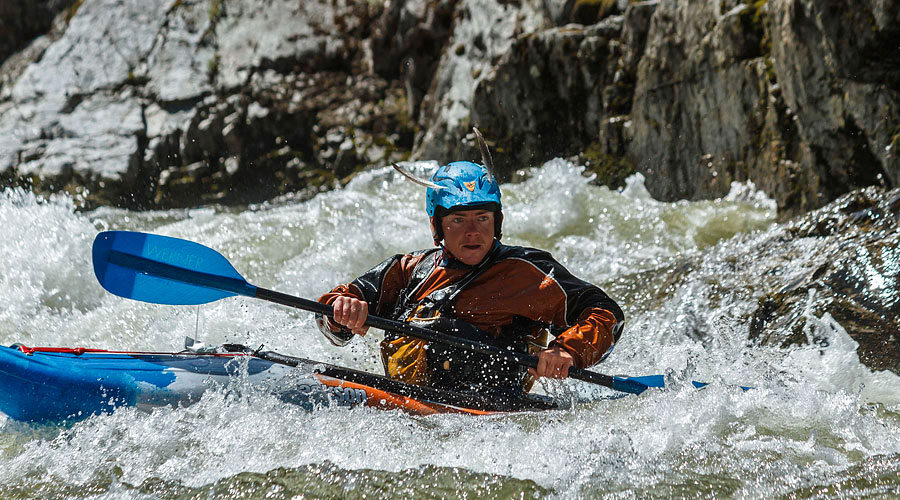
<point x="469" y="234"/>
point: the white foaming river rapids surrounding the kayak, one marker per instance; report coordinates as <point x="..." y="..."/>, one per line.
<point x="818" y="424"/>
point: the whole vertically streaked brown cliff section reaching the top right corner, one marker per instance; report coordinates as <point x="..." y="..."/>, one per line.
<point x="767" y="92"/>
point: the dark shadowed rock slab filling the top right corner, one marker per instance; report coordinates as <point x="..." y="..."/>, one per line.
<point x="837" y="71"/>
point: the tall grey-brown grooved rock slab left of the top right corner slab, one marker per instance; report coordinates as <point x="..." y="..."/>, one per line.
<point x="701" y="99"/>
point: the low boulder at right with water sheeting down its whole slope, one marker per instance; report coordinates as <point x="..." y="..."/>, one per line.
<point x="788" y="284"/>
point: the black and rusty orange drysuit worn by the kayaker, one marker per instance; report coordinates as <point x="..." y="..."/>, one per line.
<point x="510" y="297"/>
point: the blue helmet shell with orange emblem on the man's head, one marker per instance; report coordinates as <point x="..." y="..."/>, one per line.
<point x="461" y="185"/>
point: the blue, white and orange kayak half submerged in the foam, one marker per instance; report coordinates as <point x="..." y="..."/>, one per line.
<point x="63" y="384"/>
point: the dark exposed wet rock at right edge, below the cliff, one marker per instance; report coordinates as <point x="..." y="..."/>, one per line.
<point x="856" y="278"/>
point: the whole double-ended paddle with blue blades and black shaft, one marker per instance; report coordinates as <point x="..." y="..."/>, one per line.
<point x="166" y="270"/>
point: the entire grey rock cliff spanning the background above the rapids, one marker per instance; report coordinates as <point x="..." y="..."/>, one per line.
<point x="177" y="102"/>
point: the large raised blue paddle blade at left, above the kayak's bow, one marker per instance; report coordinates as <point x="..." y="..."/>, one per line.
<point x="164" y="270"/>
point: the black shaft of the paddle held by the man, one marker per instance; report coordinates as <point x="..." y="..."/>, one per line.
<point x="432" y="336"/>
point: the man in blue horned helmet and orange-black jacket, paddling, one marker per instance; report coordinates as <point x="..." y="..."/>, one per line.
<point x="474" y="286"/>
